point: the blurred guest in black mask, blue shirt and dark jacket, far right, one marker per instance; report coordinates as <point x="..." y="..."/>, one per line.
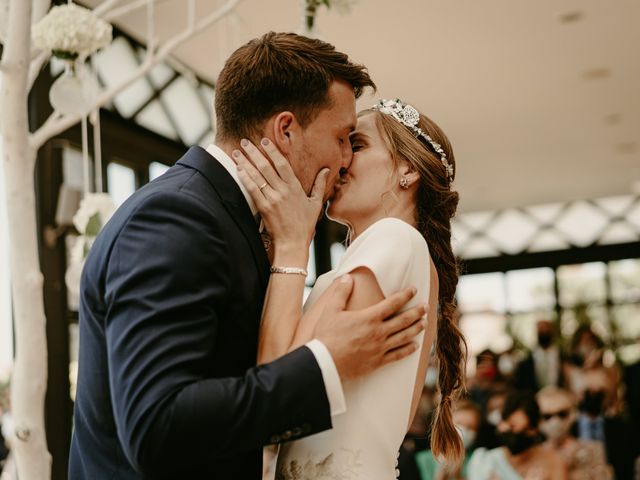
<point x="595" y="424"/>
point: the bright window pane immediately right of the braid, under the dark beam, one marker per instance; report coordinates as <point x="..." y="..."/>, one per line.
<point x="481" y="293"/>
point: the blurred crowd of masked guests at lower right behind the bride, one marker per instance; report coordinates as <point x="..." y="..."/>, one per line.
<point x="531" y="414"/>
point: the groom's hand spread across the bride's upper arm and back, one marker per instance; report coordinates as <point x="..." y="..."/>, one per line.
<point x="361" y="341"/>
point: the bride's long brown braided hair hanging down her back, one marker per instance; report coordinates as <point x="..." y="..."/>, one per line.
<point x="436" y="204"/>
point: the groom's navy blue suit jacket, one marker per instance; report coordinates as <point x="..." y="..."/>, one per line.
<point x="171" y="298"/>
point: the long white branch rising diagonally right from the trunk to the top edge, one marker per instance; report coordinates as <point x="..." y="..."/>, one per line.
<point x="54" y="126"/>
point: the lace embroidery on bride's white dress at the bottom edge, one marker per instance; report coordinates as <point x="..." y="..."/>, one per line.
<point x="347" y="467"/>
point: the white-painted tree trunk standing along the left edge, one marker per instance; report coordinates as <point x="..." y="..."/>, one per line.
<point x="29" y="379"/>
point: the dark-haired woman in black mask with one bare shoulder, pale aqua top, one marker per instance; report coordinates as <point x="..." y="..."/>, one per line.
<point x="521" y="457"/>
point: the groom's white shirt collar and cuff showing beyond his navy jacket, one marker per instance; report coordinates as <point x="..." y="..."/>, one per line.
<point x="332" y="383"/>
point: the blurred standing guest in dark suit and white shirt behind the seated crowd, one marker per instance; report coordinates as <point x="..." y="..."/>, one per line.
<point x="542" y="366"/>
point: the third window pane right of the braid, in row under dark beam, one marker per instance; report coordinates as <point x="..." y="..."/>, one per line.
<point x="583" y="283"/>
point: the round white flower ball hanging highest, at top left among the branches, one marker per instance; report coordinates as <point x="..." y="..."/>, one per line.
<point x="70" y="31"/>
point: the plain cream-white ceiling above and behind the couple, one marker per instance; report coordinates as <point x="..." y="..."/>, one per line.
<point x="538" y="110"/>
